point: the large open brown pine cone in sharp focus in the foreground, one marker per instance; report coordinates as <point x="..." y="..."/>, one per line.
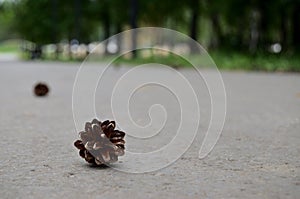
<point x="100" y="143"/>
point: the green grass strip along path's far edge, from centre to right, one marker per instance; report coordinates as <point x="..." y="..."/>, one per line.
<point x="223" y="60"/>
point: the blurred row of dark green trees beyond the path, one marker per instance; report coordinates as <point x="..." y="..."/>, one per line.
<point x="250" y="26"/>
